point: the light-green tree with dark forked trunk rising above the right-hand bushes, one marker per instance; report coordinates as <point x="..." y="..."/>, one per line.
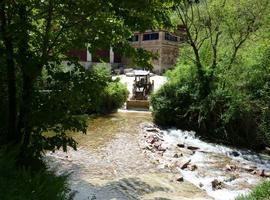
<point x="216" y="32"/>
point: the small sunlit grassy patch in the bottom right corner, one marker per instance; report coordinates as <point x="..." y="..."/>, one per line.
<point x="261" y="192"/>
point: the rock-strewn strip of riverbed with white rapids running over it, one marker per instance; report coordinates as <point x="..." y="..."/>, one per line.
<point x="222" y="172"/>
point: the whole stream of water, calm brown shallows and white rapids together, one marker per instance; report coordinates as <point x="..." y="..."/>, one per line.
<point x="111" y="164"/>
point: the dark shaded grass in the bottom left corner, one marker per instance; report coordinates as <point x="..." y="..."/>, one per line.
<point x="24" y="184"/>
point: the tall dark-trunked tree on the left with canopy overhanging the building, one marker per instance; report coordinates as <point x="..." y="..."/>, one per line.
<point x="36" y="35"/>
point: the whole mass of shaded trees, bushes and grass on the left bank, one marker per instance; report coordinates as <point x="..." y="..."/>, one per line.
<point x="38" y="94"/>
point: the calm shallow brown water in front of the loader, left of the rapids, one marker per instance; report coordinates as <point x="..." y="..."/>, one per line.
<point x="109" y="164"/>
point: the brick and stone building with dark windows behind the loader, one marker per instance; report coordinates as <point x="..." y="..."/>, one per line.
<point x="164" y="44"/>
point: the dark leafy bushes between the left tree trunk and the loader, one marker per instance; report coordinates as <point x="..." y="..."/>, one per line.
<point x="63" y="96"/>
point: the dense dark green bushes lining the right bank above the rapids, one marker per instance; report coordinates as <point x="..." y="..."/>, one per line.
<point x="234" y="114"/>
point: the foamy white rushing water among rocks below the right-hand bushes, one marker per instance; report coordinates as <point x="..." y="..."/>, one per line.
<point x="210" y="160"/>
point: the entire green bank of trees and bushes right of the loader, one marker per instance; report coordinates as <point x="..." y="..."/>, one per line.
<point x="220" y="87"/>
